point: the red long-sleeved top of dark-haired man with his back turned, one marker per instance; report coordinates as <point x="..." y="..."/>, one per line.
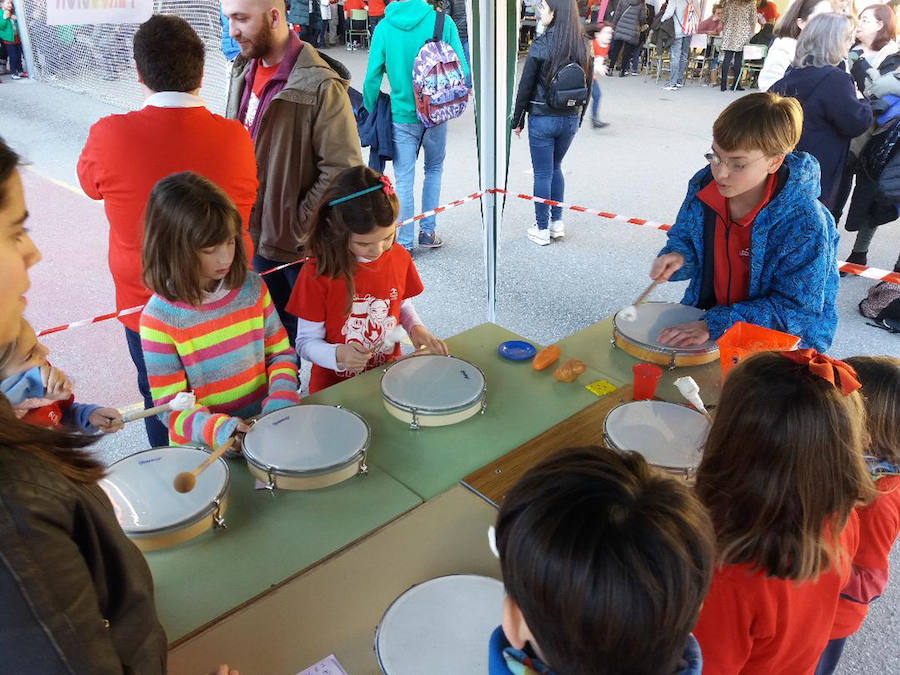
<point x="125" y="156"/>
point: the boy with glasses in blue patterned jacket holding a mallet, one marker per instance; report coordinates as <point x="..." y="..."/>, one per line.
<point x="751" y="236"/>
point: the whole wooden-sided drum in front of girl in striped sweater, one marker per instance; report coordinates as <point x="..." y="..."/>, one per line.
<point x="307" y="447"/>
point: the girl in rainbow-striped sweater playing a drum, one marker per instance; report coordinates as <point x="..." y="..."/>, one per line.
<point x="210" y="326"/>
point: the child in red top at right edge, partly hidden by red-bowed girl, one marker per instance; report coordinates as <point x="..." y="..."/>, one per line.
<point x="879" y="522"/>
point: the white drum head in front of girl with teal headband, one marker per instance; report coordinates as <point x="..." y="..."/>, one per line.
<point x="432" y="383"/>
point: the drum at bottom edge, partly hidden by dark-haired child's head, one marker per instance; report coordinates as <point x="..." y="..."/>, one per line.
<point x="440" y="627"/>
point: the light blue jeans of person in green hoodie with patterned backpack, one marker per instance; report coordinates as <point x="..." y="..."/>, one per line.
<point x="407" y="140"/>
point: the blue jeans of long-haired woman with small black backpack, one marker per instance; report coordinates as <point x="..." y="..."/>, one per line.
<point x="549" y="138"/>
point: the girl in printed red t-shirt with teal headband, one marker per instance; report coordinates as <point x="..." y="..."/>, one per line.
<point x="353" y="297"/>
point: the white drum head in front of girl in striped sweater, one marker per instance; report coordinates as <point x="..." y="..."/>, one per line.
<point x="306" y="438"/>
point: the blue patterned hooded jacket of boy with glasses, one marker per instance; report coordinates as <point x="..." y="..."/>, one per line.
<point x="793" y="258"/>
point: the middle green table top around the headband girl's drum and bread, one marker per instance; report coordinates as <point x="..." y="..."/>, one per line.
<point x="521" y="403"/>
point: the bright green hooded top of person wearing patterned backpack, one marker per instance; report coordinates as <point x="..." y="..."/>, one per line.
<point x="407" y="25"/>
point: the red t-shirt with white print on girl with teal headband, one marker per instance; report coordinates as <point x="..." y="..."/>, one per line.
<point x="380" y="287"/>
